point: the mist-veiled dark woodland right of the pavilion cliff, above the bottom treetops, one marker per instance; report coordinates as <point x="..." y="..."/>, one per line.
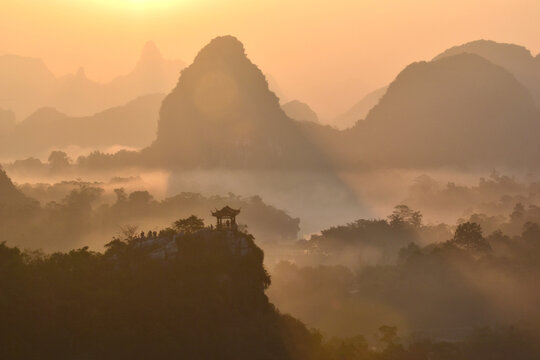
<point x="442" y="290"/>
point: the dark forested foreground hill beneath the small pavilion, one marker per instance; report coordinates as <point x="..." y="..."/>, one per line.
<point x="206" y="303"/>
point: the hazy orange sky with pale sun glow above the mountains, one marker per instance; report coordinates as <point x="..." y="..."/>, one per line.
<point x="326" y="53"/>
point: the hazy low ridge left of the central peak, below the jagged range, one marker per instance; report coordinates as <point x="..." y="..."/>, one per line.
<point x="133" y="125"/>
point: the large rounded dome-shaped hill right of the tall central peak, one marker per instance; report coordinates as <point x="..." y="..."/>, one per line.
<point x="458" y="110"/>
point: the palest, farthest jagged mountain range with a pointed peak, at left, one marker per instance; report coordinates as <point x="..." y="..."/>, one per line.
<point x="26" y="85"/>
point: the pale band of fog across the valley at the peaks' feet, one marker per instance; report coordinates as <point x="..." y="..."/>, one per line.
<point x="320" y="200"/>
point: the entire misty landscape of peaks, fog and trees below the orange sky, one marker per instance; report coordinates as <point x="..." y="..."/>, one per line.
<point x="193" y="212"/>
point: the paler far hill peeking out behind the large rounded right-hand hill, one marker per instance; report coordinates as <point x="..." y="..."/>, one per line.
<point x="516" y="59"/>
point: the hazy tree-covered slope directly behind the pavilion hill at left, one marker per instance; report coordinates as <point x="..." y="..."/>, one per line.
<point x="75" y="213"/>
